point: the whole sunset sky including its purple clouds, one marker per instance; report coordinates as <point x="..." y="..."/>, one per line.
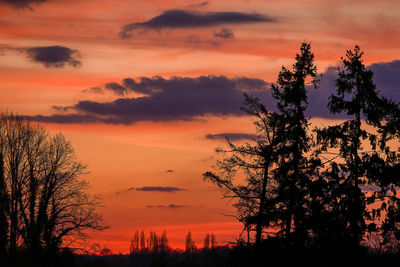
<point x="146" y="90"/>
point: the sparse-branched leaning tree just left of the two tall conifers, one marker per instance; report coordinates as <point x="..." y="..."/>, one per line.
<point x="254" y="161"/>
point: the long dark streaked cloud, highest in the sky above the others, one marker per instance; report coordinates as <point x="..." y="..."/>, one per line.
<point x="177" y="18"/>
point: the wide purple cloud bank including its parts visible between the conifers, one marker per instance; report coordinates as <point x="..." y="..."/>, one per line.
<point x="183" y="98"/>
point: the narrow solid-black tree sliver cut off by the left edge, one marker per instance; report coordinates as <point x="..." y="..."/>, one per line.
<point x="3" y="208"/>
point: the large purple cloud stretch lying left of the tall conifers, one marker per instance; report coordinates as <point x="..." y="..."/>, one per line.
<point x="177" y="98"/>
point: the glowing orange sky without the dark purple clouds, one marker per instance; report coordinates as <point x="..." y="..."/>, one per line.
<point x="139" y="154"/>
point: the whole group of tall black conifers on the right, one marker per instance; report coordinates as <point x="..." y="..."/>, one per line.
<point x="331" y="188"/>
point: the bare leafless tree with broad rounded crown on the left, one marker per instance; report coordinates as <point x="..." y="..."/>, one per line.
<point x="47" y="200"/>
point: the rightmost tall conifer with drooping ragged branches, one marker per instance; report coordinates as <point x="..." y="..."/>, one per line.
<point x="367" y="162"/>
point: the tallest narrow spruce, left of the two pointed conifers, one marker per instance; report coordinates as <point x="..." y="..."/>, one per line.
<point x="294" y="167"/>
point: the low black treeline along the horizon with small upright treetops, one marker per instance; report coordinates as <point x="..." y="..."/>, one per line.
<point x="151" y="252"/>
